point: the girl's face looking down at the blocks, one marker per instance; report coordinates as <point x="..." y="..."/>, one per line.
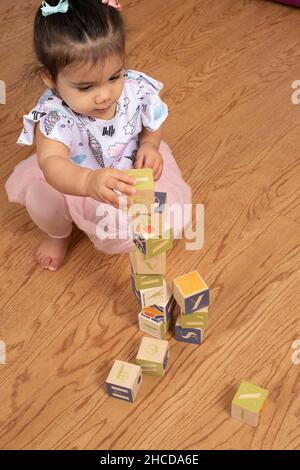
<point x="92" y="90"/>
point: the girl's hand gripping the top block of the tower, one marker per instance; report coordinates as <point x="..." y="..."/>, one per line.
<point x="102" y="184"/>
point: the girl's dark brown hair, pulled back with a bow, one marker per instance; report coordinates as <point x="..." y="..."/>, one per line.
<point x="89" y="32"/>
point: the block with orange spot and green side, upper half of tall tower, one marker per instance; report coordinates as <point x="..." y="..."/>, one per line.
<point x="151" y="243"/>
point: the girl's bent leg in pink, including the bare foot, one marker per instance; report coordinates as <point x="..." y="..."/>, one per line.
<point x="48" y="210"/>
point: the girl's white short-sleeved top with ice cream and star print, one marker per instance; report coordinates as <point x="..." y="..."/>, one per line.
<point x="95" y="143"/>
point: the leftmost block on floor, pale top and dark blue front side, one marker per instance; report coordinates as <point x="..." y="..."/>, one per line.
<point x="124" y="381"/>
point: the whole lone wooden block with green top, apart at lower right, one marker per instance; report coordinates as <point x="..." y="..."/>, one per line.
<point x="248" y="403"/>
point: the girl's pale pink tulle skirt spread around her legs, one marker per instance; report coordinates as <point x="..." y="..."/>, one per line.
<point x="89" y="214"/>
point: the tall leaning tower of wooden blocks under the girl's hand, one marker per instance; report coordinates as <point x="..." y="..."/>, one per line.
<point x="153" y="239"/>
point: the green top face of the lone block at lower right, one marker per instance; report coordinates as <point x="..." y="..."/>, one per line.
<point x="250" y="397"/>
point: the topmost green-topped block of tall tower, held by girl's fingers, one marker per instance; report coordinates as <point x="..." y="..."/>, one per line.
<point x="144" y="186"/>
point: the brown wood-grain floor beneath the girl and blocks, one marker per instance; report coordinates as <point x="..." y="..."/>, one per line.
<point x="227" y="67"/>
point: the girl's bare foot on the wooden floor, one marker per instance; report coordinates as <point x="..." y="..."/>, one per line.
<point x="51" y="252"/>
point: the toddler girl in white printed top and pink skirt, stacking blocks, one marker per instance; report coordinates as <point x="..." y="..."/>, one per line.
<point x="95" y="118"/>
